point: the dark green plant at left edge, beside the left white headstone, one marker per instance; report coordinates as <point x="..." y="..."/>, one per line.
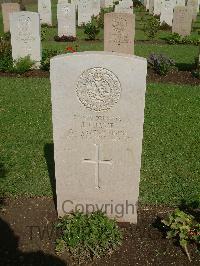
<point x="6" y="61"/>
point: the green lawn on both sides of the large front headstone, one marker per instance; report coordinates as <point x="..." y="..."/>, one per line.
<point x="170" y="161"/>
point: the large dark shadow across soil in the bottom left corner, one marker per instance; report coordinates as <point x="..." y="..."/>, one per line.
<point x="11" y="255"/>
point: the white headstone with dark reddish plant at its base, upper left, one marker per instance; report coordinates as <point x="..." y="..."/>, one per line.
<point x="66" y="15"/>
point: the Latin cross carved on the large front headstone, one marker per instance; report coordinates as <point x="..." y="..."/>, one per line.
<point x="97" y="163"/>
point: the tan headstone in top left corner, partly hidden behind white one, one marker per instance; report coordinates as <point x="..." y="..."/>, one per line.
<point x="8" y="8"/>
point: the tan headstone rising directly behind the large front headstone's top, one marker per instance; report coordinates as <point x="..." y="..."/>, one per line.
<point x="119" y="32"/>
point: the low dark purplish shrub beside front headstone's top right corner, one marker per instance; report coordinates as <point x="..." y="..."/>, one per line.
<point x="160" y="63"/>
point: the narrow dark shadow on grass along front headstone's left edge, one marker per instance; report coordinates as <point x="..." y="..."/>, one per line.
<point x="49" y="157"/>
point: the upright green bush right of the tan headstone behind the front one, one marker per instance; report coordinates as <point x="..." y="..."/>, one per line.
<point x="151" y="27"/>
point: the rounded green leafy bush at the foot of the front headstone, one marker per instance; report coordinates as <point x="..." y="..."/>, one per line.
<point x="88" y="235"/>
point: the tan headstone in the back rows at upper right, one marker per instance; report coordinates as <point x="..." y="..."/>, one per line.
<point x="182" y="21"/>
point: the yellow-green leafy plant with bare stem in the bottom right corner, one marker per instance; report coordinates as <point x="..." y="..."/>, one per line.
<point x="184" y="228"/>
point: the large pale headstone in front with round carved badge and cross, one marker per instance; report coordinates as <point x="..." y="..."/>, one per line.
<point x="98" y="101"/>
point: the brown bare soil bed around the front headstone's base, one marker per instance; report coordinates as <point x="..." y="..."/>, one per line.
<point x="27" y="237"/>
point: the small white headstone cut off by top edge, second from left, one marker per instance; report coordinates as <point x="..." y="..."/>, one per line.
<point x="44" y="9"/>
